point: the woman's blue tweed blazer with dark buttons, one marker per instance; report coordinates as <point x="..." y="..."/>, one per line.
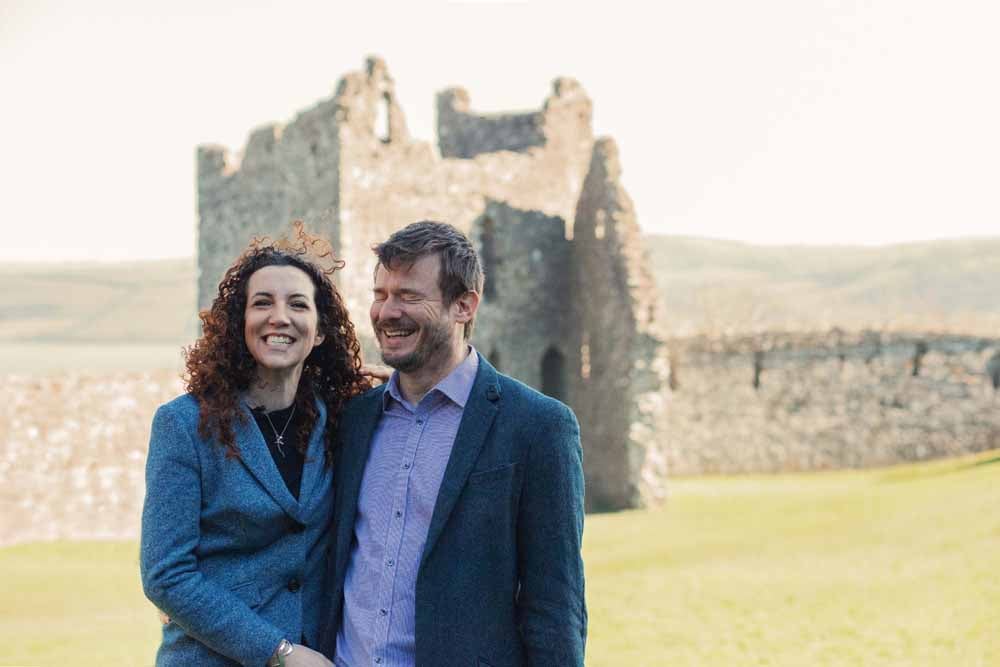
<point x="227" y="552"/>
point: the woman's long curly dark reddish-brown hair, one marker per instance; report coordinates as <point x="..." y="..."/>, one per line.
<point x="219" y="367"/>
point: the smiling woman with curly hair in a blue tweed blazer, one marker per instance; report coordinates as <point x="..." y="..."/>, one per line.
<point x="236" y="522"/>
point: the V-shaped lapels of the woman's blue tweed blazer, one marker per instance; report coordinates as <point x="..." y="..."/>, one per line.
<point x="258" y="460"/>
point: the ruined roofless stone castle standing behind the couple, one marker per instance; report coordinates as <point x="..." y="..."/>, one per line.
<point x="570" y="305"/>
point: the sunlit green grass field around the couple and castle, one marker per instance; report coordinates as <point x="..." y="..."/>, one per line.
<point x="887" y="567"/>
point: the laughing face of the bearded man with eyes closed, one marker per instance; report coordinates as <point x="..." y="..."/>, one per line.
<point x="410" y="320"/>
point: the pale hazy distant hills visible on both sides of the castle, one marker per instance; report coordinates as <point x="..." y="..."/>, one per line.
<point x="707" y="285"/>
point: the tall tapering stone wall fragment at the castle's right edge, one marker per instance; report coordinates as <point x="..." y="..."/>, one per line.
<point x="624" y="383"/>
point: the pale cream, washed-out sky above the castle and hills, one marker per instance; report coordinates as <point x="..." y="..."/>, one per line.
<point x="779" y="121"/>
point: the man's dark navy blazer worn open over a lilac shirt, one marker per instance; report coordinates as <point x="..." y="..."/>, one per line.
<point x="501" y="578"/>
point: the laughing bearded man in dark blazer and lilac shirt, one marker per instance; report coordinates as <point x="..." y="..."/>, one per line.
<point x="459" y="490"/>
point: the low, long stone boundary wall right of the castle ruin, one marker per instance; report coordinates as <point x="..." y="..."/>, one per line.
<point x="823" y="401"/>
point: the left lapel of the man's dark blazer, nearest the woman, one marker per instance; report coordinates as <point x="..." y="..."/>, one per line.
<point x="358" y="430"/>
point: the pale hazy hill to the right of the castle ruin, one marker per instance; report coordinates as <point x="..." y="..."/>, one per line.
<point x="718" y="285"/>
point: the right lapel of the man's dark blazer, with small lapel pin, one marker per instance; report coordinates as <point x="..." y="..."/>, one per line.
<point x="477" y="418"/>
